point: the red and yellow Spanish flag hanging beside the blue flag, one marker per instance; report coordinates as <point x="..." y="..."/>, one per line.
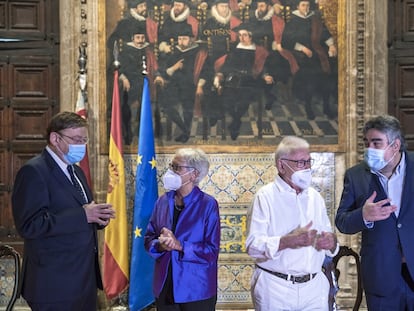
<point x="116" y="261"/>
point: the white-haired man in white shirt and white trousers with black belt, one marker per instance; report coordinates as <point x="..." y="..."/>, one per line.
<point x="289" y="235"/>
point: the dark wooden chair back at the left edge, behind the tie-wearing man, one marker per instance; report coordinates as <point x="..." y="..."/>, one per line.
<point x="8" y="254"/>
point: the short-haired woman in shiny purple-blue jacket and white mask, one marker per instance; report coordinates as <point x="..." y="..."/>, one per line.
<point x="183" y="236"/>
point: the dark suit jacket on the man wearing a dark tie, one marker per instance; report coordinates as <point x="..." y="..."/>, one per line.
<point x="60" y="259"/>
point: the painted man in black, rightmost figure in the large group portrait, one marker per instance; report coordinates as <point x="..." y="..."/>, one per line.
<point x="314" y="48"/>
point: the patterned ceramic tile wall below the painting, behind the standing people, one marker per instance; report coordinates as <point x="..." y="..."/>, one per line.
<point x="234" y="179"/>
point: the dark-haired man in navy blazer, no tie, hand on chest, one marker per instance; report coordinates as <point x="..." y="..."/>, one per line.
<point x="377" y="200"/>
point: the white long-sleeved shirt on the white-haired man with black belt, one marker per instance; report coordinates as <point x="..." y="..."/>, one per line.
<point x="276" y="211"/>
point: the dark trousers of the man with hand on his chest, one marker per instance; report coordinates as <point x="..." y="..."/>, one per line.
<point x="402" y="299"/>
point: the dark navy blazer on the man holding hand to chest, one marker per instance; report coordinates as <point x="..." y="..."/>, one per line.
<point x="383" y="245"/>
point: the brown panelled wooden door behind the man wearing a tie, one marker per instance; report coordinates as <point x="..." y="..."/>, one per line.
<point x="29" y="88"/>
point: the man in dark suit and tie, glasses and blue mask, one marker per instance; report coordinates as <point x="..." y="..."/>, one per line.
<point x="55" y="214"/>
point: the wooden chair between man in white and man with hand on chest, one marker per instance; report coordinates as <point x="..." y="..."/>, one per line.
<point x="331" y="267"/>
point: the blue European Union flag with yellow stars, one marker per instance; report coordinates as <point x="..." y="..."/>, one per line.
<point x="146" y="193"/>
